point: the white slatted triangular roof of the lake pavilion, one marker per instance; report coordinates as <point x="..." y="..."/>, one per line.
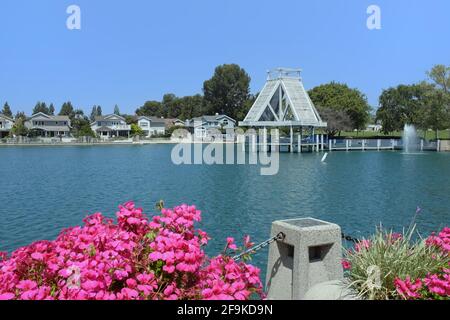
<point x="283" y="102"/>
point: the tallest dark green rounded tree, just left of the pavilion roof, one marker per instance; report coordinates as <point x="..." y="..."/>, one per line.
<point x="227" y="90"/>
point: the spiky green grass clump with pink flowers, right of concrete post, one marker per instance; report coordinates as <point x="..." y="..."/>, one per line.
<point x="392" y="266"/>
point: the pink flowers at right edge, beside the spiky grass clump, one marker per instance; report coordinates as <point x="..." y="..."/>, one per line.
<point x="433" y="285"/>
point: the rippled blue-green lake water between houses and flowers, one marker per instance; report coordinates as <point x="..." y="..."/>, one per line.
<point x="45" y="189"/>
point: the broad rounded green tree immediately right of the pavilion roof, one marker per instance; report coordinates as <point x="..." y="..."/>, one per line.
<point x="339" y="96"/>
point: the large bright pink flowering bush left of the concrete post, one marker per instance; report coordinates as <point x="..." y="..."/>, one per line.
<point x="134" y="259"/>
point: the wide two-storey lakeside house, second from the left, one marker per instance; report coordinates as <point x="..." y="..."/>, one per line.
<point x="44" y="125"/>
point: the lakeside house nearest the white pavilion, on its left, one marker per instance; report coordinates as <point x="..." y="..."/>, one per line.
<point x="203" y="126"/>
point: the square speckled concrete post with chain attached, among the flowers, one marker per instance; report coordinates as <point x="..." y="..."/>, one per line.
<point x="311" y="253"/>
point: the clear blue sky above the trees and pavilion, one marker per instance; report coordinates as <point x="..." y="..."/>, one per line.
<point x="128" y="52"/>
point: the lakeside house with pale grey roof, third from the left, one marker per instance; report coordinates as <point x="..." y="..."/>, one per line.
<point x="111" y="126"/>
